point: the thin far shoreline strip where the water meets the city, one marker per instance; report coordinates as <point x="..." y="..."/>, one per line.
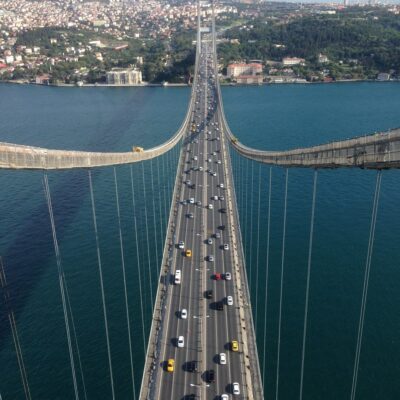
<point x="151" y="85"/>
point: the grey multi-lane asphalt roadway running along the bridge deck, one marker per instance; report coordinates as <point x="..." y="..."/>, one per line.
<point x="207" y="331"/>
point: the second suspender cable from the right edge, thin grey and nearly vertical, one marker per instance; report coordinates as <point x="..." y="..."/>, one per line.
<point x="310" y="248"/>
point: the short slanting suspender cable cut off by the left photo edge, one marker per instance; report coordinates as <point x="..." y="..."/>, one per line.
<point x="14" y="332"/>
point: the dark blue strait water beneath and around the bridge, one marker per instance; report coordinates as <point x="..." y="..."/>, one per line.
<point x="269" y="117"/>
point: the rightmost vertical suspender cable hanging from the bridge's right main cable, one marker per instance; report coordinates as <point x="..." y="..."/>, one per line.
<point x="366" y="283"/>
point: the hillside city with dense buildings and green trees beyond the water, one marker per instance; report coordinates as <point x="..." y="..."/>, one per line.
<point x="142" y="42"/>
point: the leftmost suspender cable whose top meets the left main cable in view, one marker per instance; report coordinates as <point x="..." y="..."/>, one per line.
<point x="60" y="280"/>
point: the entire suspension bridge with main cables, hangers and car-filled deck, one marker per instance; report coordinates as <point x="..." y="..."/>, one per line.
<point x="202" y="343"/>
